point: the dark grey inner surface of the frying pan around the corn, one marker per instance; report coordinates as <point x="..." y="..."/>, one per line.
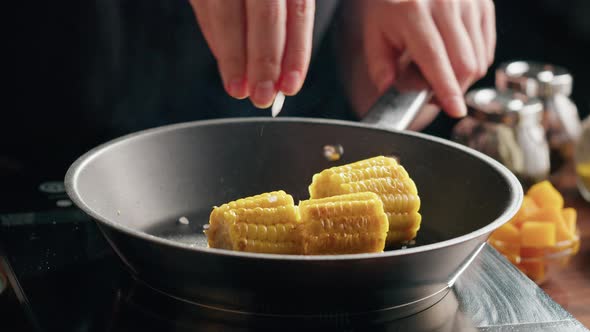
<point x="156" y="182"/>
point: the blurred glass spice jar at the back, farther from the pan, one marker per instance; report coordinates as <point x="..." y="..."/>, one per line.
<point x="553" y="86"/>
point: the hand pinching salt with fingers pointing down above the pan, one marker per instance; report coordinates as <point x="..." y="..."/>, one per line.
<point x="261" y="46"/>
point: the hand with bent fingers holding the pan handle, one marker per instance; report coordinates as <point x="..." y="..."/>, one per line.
<point x="451" y="41"/>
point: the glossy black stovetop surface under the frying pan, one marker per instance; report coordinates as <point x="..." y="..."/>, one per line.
<point x="63" y="276"/>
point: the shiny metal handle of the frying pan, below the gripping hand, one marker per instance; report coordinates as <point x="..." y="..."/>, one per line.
<point x="395" y="109"/>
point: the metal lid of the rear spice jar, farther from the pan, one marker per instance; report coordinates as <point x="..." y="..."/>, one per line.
<point x="534" y="79"/>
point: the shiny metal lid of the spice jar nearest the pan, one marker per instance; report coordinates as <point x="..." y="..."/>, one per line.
<point x="506" y="106"/>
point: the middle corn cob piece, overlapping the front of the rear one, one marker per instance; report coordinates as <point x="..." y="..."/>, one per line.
<point x="344" y="224"/>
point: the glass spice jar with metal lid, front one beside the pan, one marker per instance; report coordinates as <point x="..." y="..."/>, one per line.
<point x="508" y="127"/>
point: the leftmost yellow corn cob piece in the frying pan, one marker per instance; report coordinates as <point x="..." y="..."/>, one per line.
<point x="265" y="223"/>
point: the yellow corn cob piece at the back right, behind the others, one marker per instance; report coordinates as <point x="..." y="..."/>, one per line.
<point x="383" y="176"/>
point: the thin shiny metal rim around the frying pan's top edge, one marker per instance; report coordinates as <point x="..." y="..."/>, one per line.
<point x="73" y="172"/>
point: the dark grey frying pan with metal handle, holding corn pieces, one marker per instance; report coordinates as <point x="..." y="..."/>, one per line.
<point x="137" y="188"/>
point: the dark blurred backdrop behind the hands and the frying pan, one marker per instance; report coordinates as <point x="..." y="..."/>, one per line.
<point x="82" y="72"/>
